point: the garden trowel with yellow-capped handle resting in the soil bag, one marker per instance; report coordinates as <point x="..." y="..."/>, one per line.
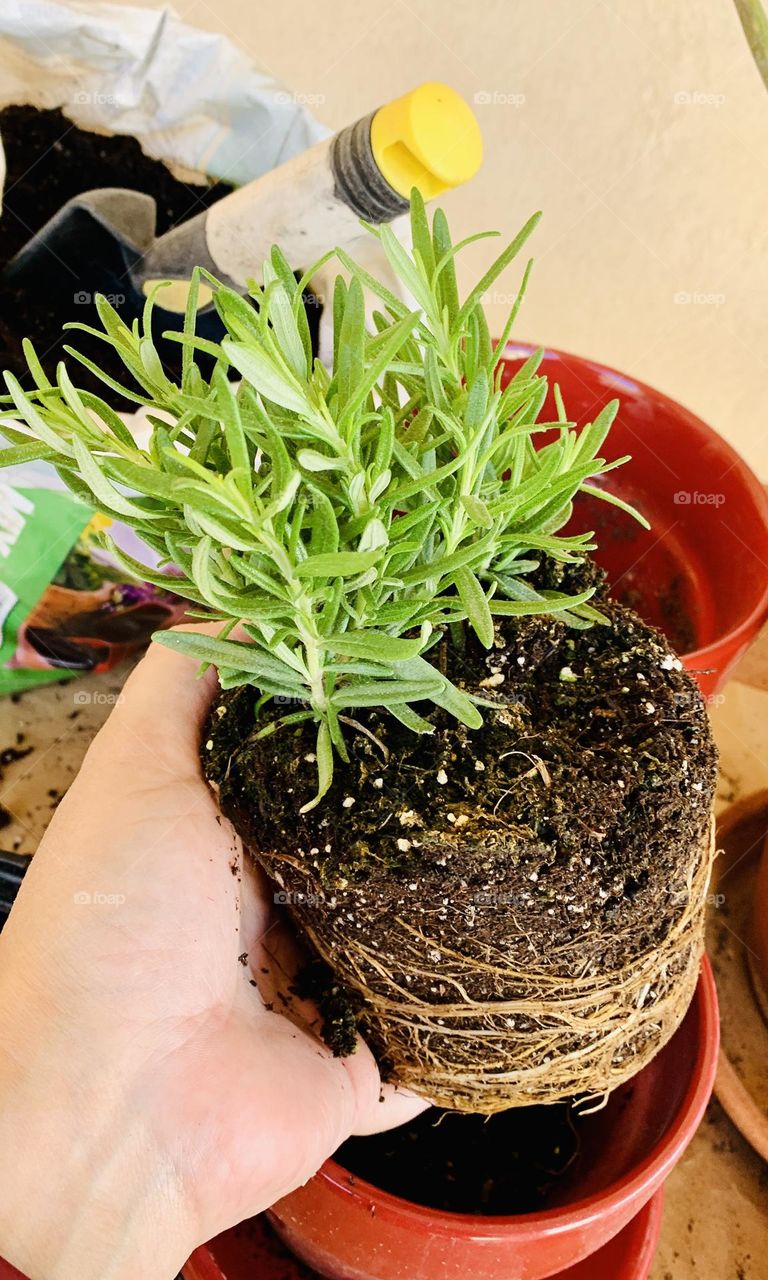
<point x="104" y="241"/>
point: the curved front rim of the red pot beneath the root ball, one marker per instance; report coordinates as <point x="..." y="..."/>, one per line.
<point x="644" y="1178"/>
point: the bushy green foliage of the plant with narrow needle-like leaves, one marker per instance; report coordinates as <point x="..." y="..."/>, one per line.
<point x="346" y="516"/>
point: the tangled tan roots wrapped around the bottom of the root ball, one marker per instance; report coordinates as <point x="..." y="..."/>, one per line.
<point x="560" y="1030"/>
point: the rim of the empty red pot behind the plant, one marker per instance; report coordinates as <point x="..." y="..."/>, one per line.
<point x="755" y="620"/>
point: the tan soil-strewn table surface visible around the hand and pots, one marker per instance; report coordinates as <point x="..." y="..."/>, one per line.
<point x="716" y="1218"/>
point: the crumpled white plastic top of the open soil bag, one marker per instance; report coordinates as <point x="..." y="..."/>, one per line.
<point x="190" y="98"/>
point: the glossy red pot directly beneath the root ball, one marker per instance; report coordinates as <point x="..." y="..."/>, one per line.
<point x="348" y="1229"/>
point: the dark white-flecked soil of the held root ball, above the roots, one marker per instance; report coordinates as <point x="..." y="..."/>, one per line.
<point x="575" y="807"/>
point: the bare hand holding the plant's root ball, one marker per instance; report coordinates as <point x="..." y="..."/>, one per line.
<point x="149" y="1096"/>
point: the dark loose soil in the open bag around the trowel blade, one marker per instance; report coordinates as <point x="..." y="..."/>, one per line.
<point x="49" y="162"/>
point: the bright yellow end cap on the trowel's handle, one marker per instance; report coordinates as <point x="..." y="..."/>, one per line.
<point x="428" y="139"/>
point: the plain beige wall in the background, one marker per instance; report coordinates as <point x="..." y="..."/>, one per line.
<point x="646" y="196"/>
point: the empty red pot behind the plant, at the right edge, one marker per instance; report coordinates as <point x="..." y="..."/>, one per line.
<point x="702" y="572"/>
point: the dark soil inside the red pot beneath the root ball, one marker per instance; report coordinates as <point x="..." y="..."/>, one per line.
<point x="464" y="1164"/>
